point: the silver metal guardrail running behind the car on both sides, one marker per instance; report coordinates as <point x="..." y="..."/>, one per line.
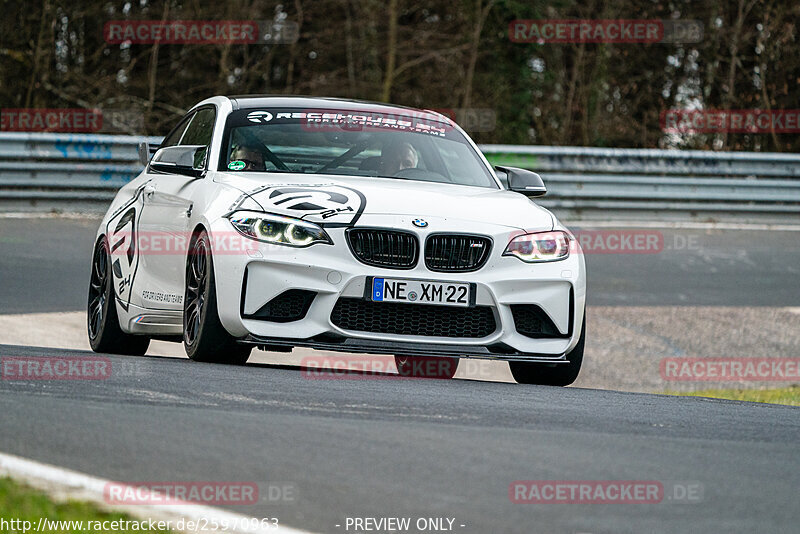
<point x="82" y="172"/>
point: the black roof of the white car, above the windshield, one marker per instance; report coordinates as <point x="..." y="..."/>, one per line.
<point x="316" y="102"/>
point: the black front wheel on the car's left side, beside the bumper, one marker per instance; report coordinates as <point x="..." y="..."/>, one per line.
<point x="204" y="337"/>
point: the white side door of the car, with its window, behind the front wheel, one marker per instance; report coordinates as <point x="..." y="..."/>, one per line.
<point x="164" y="226"/>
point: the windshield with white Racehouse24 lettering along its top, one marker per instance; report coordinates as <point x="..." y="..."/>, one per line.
<point x="404" y="146"/>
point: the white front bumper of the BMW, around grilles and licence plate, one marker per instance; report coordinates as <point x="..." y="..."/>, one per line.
<point x="247" y="281"/>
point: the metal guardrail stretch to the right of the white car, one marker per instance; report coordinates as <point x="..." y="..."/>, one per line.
<point x="644" y="184"/>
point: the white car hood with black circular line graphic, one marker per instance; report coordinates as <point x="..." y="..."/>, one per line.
<point x="336" y="199"/>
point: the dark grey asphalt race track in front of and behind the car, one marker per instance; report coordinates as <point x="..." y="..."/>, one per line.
<point x="381" y="446"/>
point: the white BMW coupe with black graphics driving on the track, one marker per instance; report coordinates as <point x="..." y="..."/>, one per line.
<point x="282" y="222"/>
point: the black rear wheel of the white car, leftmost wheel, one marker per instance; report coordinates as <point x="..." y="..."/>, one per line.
<point x="105" y="334"/>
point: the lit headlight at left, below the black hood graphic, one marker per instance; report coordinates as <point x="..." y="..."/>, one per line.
<point x="278" y="230"/>
